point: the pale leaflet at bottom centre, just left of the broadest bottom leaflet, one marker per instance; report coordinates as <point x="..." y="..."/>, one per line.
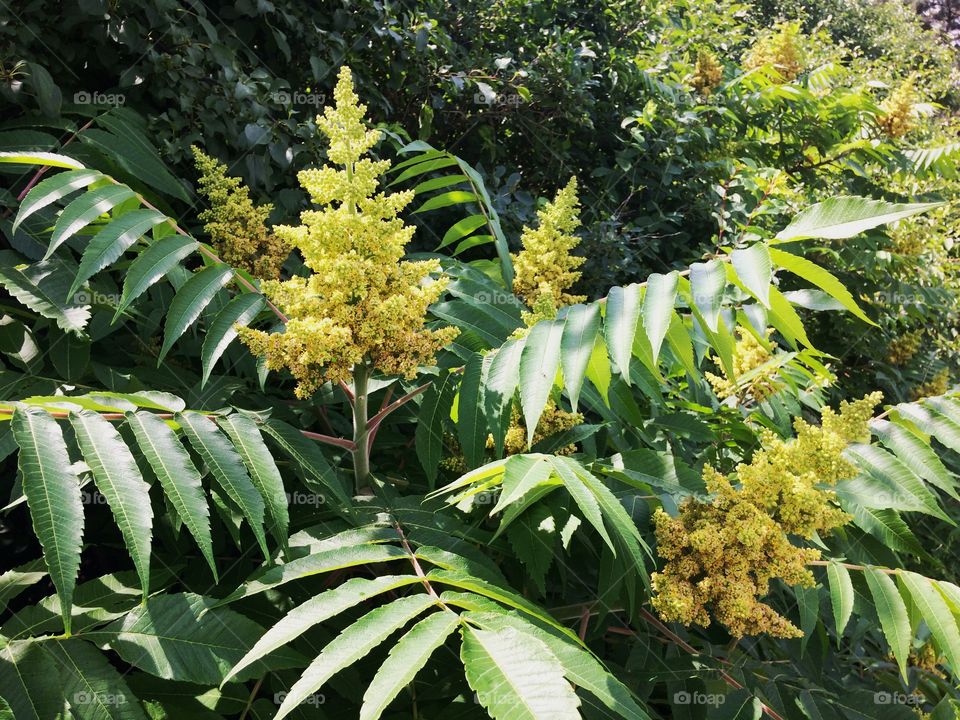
<point x="406" y="658"/>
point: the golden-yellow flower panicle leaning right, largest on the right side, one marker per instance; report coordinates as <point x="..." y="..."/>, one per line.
<point x="722" y="554"/>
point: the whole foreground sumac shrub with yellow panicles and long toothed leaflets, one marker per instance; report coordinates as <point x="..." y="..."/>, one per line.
<point x="388" y="487"/>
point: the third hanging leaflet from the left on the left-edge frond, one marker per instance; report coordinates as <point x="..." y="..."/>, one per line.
<point x="181" y="483"/>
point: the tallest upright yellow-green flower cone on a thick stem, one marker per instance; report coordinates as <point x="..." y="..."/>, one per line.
<point x="362" y="303"/>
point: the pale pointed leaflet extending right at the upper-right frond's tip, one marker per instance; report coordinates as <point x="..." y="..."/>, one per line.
<point x="846" y="216"/>
